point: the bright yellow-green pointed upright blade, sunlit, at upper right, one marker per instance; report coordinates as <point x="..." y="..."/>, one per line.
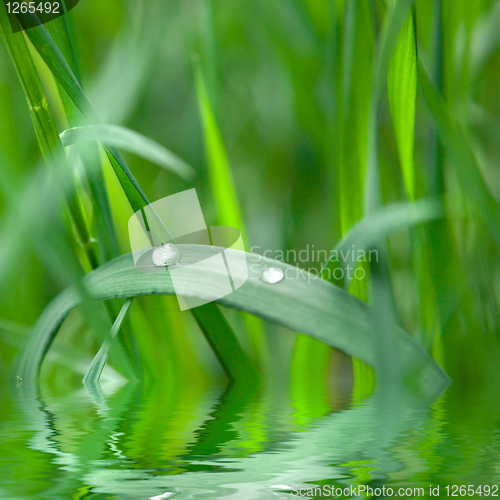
<point x="402" y="89"/>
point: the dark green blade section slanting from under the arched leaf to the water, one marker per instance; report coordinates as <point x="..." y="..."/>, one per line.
<point x="223" y="341"/>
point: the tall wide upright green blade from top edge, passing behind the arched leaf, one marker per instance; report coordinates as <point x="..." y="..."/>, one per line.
<point x="355" y="72"/>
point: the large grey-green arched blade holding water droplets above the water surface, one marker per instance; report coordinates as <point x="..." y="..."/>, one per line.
<point x="299" y="302"/>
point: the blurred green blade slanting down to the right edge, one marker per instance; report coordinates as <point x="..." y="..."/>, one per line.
<point x="466" y="165"/>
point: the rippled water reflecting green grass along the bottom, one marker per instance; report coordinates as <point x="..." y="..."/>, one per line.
<point x="136" y="443"/>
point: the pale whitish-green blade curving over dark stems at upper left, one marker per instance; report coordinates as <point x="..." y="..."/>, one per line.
<point x="130" y="141"/>
